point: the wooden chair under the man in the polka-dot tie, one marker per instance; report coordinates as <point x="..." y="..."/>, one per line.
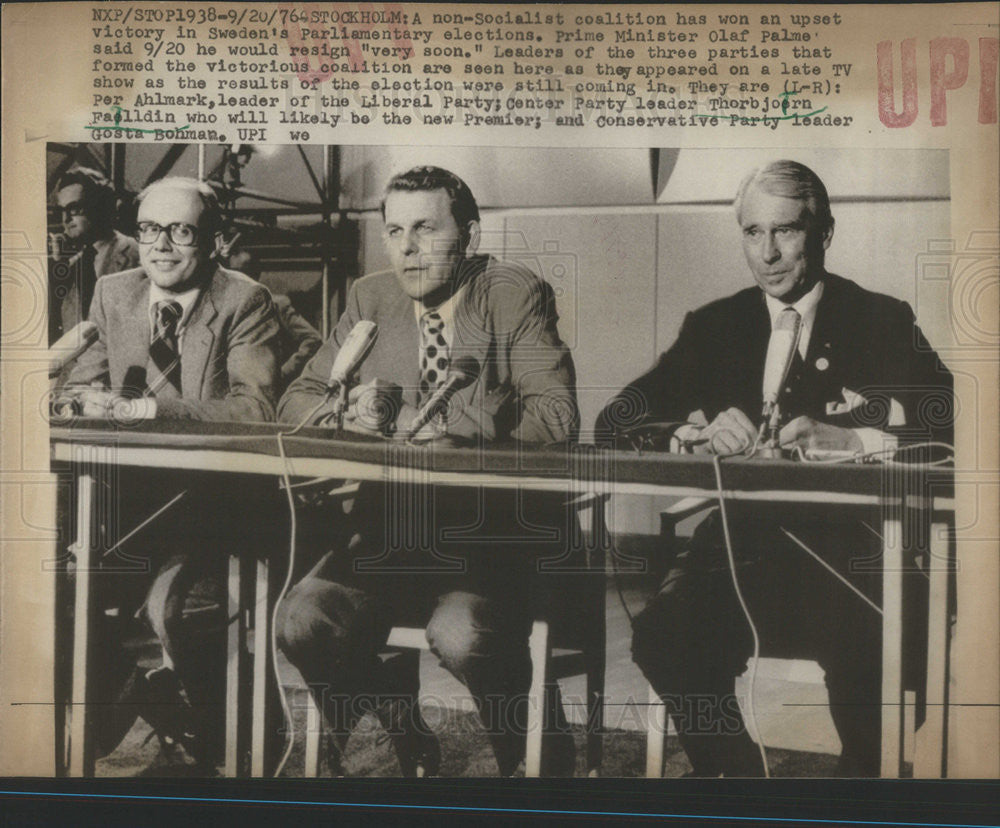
<point x="558" y="650"/>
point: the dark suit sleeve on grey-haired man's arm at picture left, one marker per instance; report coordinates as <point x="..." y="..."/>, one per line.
<point x="669" y="392"/>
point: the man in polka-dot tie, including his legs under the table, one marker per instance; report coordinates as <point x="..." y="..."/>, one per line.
<point x="439" y="304"/>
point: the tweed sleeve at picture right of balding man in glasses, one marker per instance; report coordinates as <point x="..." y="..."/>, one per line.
<point x="252" y="353"/>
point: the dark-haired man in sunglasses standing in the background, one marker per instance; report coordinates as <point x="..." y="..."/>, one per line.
<point x="89" y="247"/>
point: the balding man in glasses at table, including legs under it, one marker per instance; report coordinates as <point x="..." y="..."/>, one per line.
<point x="180" y="338"/>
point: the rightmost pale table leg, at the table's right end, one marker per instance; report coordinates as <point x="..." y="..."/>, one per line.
<point x="929" y="761"/>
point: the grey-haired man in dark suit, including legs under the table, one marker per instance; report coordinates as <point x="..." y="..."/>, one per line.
<point x="862" y="379"/>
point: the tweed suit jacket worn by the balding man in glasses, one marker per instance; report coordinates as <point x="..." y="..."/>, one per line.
<point x="229" y="347"/>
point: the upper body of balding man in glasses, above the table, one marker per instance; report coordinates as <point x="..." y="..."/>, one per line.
<point x="180" y="337"/>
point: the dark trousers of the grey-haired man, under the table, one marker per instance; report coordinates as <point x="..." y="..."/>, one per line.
<point x="694" y="638"/>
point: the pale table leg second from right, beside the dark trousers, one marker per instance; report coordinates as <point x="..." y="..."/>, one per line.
<point x="892" y="647"/>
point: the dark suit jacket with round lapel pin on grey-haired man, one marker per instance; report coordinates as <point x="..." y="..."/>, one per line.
<point x="865" y="342"/>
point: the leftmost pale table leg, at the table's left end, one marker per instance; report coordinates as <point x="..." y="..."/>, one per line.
<point x="82" y="755"/>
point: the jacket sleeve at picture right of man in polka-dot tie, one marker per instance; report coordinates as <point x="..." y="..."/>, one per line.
<point x="541" y="368"/>
